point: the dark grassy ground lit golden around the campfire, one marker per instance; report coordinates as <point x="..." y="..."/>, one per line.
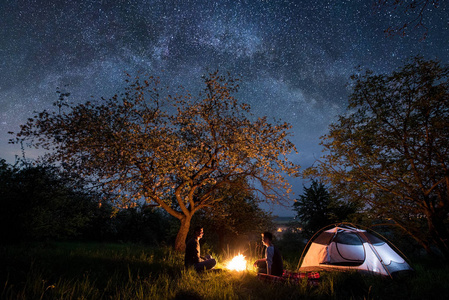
<point x="117" y="271"/>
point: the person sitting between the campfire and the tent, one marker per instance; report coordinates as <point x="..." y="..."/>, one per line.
<point x="272" y="263"/>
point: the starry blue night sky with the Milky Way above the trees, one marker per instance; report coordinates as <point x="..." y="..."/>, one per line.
<point x="294" y="57"/>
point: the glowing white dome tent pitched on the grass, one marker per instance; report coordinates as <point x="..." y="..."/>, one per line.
<point x="345" y="247"/>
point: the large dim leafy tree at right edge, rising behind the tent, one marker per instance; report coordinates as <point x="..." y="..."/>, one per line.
<point x="391" y="149"/>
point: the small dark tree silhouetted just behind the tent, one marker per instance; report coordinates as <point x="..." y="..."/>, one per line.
<point x="317" y="208"/>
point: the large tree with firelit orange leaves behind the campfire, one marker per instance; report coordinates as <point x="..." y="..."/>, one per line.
<point x="167" y="147"/>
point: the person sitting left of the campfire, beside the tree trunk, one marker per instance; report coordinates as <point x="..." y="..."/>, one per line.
<point x="193" y="250"/>
